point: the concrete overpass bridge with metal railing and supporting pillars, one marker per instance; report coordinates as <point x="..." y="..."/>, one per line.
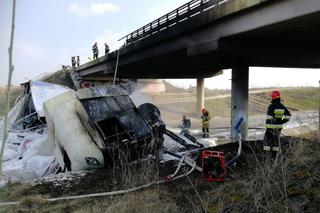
<point x="202" y="37"/>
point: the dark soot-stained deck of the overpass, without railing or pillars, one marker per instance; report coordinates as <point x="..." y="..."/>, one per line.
<point x="256" y="37"/>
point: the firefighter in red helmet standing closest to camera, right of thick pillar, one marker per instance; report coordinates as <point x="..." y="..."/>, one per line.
<point x="277" y="115"/>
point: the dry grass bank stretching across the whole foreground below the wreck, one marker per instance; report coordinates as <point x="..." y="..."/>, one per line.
<point x="291" y="183"/>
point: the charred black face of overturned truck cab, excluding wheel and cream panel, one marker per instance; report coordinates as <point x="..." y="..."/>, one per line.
<point x="121" y="127"/>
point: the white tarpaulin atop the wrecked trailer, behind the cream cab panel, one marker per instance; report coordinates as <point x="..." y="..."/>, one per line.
<point x="42" y="91"/>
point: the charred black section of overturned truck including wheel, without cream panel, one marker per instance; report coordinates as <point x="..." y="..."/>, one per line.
<point x="135" y="132"/>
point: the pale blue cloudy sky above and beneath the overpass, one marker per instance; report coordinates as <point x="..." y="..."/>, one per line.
<point x="49" y="32"/>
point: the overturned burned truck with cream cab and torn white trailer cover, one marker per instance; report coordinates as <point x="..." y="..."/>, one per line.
<point x="91" y="127"/>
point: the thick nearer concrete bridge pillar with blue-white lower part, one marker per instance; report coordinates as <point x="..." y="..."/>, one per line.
<point x="239" y="101"/>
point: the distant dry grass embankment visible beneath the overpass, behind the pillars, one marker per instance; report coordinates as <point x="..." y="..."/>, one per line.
<point x="301" y="99"/>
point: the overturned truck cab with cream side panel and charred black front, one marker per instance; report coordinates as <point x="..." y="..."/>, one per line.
<point x="112" y="127"/>
